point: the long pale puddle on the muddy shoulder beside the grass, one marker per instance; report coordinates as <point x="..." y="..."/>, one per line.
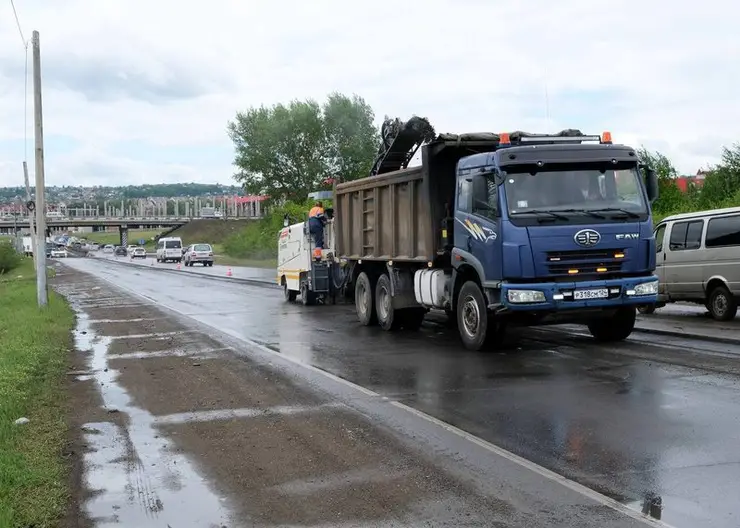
<point x="134" y="477"/>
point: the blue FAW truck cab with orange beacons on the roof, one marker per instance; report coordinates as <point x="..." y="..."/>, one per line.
<point x="556" y="229"/>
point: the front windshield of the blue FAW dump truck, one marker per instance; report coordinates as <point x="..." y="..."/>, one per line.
<point x="576" y="191"/>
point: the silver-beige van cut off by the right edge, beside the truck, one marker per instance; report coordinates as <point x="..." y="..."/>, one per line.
<point x="698" y="260"/>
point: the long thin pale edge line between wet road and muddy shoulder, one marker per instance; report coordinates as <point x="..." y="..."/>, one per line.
<point x="508" y="455"/>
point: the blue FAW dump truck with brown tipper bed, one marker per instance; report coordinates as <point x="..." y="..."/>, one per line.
<point x="496" y="230"/>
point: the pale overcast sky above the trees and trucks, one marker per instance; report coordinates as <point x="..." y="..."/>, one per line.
<point x="140" y="92"/>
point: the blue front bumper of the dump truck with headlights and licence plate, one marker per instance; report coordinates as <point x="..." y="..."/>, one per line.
<point x="563" y="296"/>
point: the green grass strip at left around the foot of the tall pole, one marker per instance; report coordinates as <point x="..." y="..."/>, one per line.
<point x="33" y="358"/>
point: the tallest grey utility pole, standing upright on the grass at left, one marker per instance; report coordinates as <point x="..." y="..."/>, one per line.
<point x="41" y="291"/>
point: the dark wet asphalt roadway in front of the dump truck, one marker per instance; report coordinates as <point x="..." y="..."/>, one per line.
<point x="609" y="417"/>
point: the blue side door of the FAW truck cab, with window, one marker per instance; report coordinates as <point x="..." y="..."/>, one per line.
<point x="477" y="223"/>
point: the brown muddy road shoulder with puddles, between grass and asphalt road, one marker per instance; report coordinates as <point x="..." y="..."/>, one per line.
<point x="172" y="428"/>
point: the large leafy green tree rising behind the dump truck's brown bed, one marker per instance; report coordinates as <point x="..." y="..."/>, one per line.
<point x="287" y="151"/>
